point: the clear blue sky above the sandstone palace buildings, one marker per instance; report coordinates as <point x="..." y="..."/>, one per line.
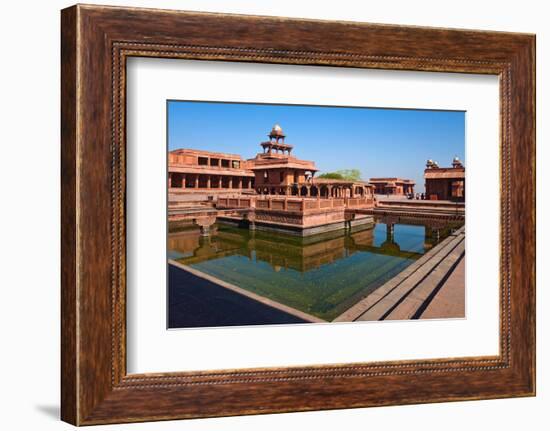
<point x="378" y="142"/>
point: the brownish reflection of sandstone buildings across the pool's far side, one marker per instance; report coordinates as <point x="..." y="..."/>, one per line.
<point x="301" y="254"/>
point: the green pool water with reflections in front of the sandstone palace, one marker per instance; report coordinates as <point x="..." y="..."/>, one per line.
<point x="322" y="276"/>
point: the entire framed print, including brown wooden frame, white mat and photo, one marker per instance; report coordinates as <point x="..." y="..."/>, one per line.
<point x="263" y="214"/>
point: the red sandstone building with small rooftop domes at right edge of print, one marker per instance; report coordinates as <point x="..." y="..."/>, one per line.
<point x="445" y="183"/>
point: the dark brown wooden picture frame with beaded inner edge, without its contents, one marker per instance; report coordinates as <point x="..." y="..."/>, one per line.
<point x="96" y="42"/>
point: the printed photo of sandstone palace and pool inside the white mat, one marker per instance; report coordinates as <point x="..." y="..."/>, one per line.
<point x="308" y="247"/>
